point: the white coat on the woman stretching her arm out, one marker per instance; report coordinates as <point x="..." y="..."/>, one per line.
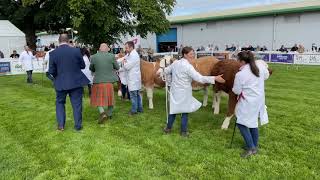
<point x="181" y="99"/>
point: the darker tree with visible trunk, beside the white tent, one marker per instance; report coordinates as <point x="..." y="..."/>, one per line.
<point x="36" y="15"/>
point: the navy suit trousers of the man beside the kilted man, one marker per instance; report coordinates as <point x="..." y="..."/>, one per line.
<point x="76" y="102"/>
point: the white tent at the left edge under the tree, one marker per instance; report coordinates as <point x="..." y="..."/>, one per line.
<point x="11" y="38"/>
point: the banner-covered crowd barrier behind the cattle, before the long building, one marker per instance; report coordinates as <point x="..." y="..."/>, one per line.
<point x="268" y="56"/>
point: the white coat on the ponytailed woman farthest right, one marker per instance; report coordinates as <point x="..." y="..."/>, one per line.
<point x="251" y="104"/>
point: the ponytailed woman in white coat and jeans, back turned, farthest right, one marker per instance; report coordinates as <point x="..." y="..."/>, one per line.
<point x="249" y="86"/>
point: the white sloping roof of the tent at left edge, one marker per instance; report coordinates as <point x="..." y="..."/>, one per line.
<point x="7" y="29"/>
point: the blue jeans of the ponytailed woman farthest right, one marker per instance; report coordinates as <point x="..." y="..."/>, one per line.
<point x="250" y="136"/>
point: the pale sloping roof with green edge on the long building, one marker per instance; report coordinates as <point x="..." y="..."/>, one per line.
<point x="257" y="11"/>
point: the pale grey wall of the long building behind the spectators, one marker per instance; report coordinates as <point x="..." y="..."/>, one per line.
<point x="271" y="31"/>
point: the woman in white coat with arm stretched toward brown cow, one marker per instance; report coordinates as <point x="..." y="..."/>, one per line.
<point x="181" y="99"/>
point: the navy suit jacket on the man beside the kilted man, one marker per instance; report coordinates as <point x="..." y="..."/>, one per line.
<point x="65" y="64"/>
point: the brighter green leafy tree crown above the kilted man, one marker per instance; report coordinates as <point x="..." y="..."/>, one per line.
<point x="106" y="20"/>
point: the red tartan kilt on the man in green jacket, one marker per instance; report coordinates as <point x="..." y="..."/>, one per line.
<point x="102" y="95"/>
